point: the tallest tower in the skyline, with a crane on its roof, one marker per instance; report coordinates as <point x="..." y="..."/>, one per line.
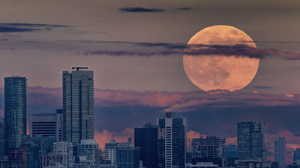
<point x="78" y="106"/>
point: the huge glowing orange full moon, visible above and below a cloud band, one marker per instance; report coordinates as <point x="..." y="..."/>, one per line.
<point x="212" y="72"/>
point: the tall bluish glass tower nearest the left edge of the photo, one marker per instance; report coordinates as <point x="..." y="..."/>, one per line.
<point x="14" y="113"/>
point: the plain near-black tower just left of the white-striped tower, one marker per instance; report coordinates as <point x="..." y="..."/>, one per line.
<point x="146" y="139"/>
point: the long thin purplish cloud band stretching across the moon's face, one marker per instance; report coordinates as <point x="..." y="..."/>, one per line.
<point x="170" y="49"/>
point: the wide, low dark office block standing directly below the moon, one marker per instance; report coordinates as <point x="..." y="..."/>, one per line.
<point x="209" y="149"/>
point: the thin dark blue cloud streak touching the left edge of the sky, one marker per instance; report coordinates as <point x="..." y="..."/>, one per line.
<point x="26" y="27"/>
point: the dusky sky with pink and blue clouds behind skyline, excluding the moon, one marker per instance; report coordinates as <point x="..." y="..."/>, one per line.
<point x="125" y="44"/>
